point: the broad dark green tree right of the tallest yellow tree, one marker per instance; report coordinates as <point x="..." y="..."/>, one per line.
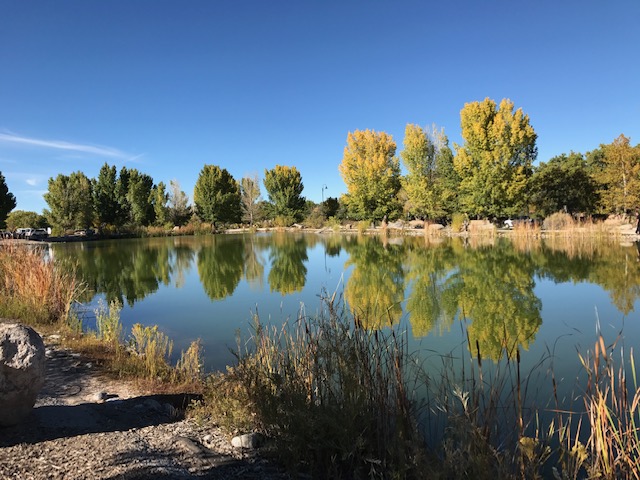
<point x="563" y="183"/>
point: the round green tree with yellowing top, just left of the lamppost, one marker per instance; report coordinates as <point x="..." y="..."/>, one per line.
<point x="284" y="188"/>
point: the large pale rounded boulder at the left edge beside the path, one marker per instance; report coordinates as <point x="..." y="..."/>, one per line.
<point x="22" y="371"/>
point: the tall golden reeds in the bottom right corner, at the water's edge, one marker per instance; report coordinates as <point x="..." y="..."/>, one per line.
<point x="603" y="441"/>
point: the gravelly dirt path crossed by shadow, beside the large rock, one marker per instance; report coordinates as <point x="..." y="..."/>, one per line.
<point x="86" y="426"/>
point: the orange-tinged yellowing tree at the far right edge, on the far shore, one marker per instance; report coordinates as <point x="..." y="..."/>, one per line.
<point x="618" y="173"/>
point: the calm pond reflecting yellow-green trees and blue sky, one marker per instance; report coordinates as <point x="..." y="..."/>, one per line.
<point x="544" y="297"/>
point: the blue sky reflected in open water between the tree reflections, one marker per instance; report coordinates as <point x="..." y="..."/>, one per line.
<point x="185" y="313"/>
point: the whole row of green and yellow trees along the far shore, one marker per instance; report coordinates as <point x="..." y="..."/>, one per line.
<point x="491" y="175"/>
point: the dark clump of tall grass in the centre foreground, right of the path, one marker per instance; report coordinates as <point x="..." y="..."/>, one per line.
<point x="333" y="396"/>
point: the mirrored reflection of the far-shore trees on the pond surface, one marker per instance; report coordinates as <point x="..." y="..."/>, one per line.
<point x="490" y="286"/>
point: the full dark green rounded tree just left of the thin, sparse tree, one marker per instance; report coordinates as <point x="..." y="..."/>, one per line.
<point x="217" y="196"/>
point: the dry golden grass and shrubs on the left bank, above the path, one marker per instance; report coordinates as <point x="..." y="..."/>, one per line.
<point x="34" y="291"/>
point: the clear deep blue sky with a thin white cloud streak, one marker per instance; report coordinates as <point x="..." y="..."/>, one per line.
<point x="169" y="86"/>
